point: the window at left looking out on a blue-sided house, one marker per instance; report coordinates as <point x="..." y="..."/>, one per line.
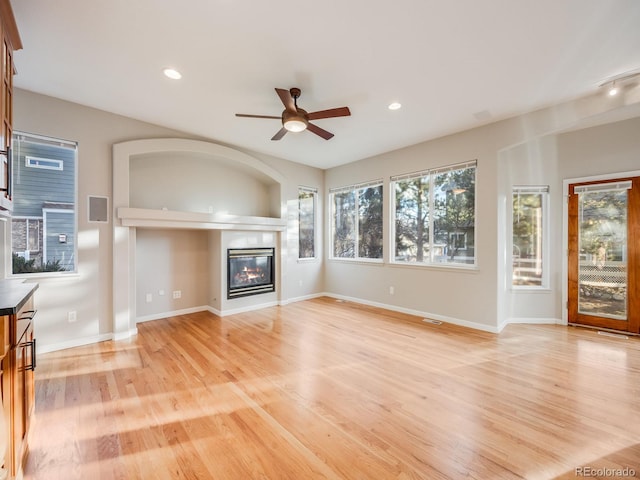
<point x="43" y="226"/>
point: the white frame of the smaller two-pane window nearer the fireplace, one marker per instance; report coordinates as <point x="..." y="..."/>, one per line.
<point x="355" y="189"/>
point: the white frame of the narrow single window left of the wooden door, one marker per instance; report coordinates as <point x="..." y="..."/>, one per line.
<point x="543" y="191"/>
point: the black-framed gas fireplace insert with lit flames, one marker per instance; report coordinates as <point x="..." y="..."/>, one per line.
<point x="250" y="271"/>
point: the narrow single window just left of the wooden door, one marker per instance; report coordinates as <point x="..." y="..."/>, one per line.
<point x="529" y="230"/>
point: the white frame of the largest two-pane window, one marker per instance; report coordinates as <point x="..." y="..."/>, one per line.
<point x="431" y="175"/>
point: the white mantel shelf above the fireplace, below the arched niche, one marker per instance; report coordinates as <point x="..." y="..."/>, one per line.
<point x="150" y="218"/>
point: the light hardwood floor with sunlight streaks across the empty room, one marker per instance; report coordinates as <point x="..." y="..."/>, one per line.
<point x="324" y="389"/>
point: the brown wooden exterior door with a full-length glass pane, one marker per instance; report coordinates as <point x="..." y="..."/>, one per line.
<point x="603" y="256"/>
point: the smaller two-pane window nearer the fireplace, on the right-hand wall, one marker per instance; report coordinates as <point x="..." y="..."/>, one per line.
<point x="356" y="227"/>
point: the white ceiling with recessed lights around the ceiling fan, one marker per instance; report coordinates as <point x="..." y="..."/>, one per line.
<point x="453" y="64"/>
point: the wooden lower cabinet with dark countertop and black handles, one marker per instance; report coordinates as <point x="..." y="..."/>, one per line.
<point x="18" y="361"/>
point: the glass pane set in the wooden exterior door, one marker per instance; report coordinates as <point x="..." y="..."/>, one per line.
<point x="602" y="236"/>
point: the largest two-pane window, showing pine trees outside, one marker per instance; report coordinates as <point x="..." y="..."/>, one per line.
<point x="434" y="216"/>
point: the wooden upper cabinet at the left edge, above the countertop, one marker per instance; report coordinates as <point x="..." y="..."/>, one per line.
<point x="10" y="42"/>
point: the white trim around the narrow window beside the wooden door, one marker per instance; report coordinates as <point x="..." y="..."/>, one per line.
<point x="546" y="240"/>
